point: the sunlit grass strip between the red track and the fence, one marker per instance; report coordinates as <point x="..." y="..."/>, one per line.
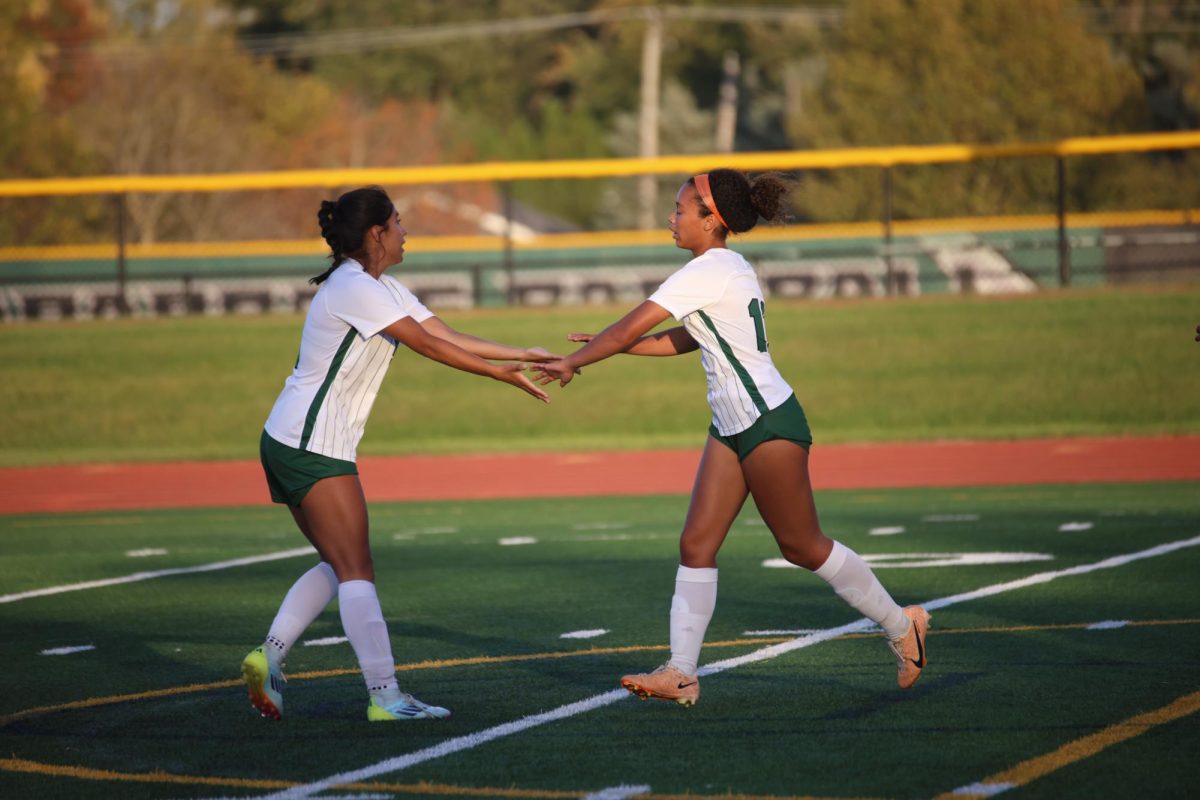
<point x="1084" y="363"/>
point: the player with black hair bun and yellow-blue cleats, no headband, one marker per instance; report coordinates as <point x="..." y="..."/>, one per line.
<point x="356" y="323"/>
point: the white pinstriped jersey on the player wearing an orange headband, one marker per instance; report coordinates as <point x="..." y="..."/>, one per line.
<point x="718" y="299"/>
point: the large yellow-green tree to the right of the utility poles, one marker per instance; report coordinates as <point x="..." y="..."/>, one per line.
<point x="955" y="71"/>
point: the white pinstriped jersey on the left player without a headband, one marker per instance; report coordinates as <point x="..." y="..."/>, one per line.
<point x="344" y="358"/>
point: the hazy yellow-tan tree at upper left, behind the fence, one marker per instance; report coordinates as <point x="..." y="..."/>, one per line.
<point x="183" y="98"/>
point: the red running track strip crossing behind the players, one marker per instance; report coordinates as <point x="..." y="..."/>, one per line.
<point x="104" y="488"/>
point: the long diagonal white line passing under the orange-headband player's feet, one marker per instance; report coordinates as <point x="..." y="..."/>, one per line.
<point x="608" y="699"/>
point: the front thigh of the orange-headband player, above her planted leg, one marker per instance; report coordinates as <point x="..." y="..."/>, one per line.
<point x="717" y="498"/>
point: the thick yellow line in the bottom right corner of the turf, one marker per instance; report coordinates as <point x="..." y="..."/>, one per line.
<point x="1076" y="751"/>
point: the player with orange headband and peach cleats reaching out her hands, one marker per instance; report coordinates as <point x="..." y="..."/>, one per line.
<point x="759" y="441"/>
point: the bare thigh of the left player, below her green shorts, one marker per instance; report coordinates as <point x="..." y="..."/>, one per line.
<point x="335" y="513"/>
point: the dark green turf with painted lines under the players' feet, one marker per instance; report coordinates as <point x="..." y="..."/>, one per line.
<point x="1016" y="675"/>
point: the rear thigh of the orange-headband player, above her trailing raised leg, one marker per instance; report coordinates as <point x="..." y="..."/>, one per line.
<point x="778" y="476"/>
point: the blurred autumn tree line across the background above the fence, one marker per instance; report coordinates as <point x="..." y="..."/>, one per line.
<point x="107" y="87"/>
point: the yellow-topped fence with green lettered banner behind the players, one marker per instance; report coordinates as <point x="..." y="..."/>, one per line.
<point x="883" y="257"/>
